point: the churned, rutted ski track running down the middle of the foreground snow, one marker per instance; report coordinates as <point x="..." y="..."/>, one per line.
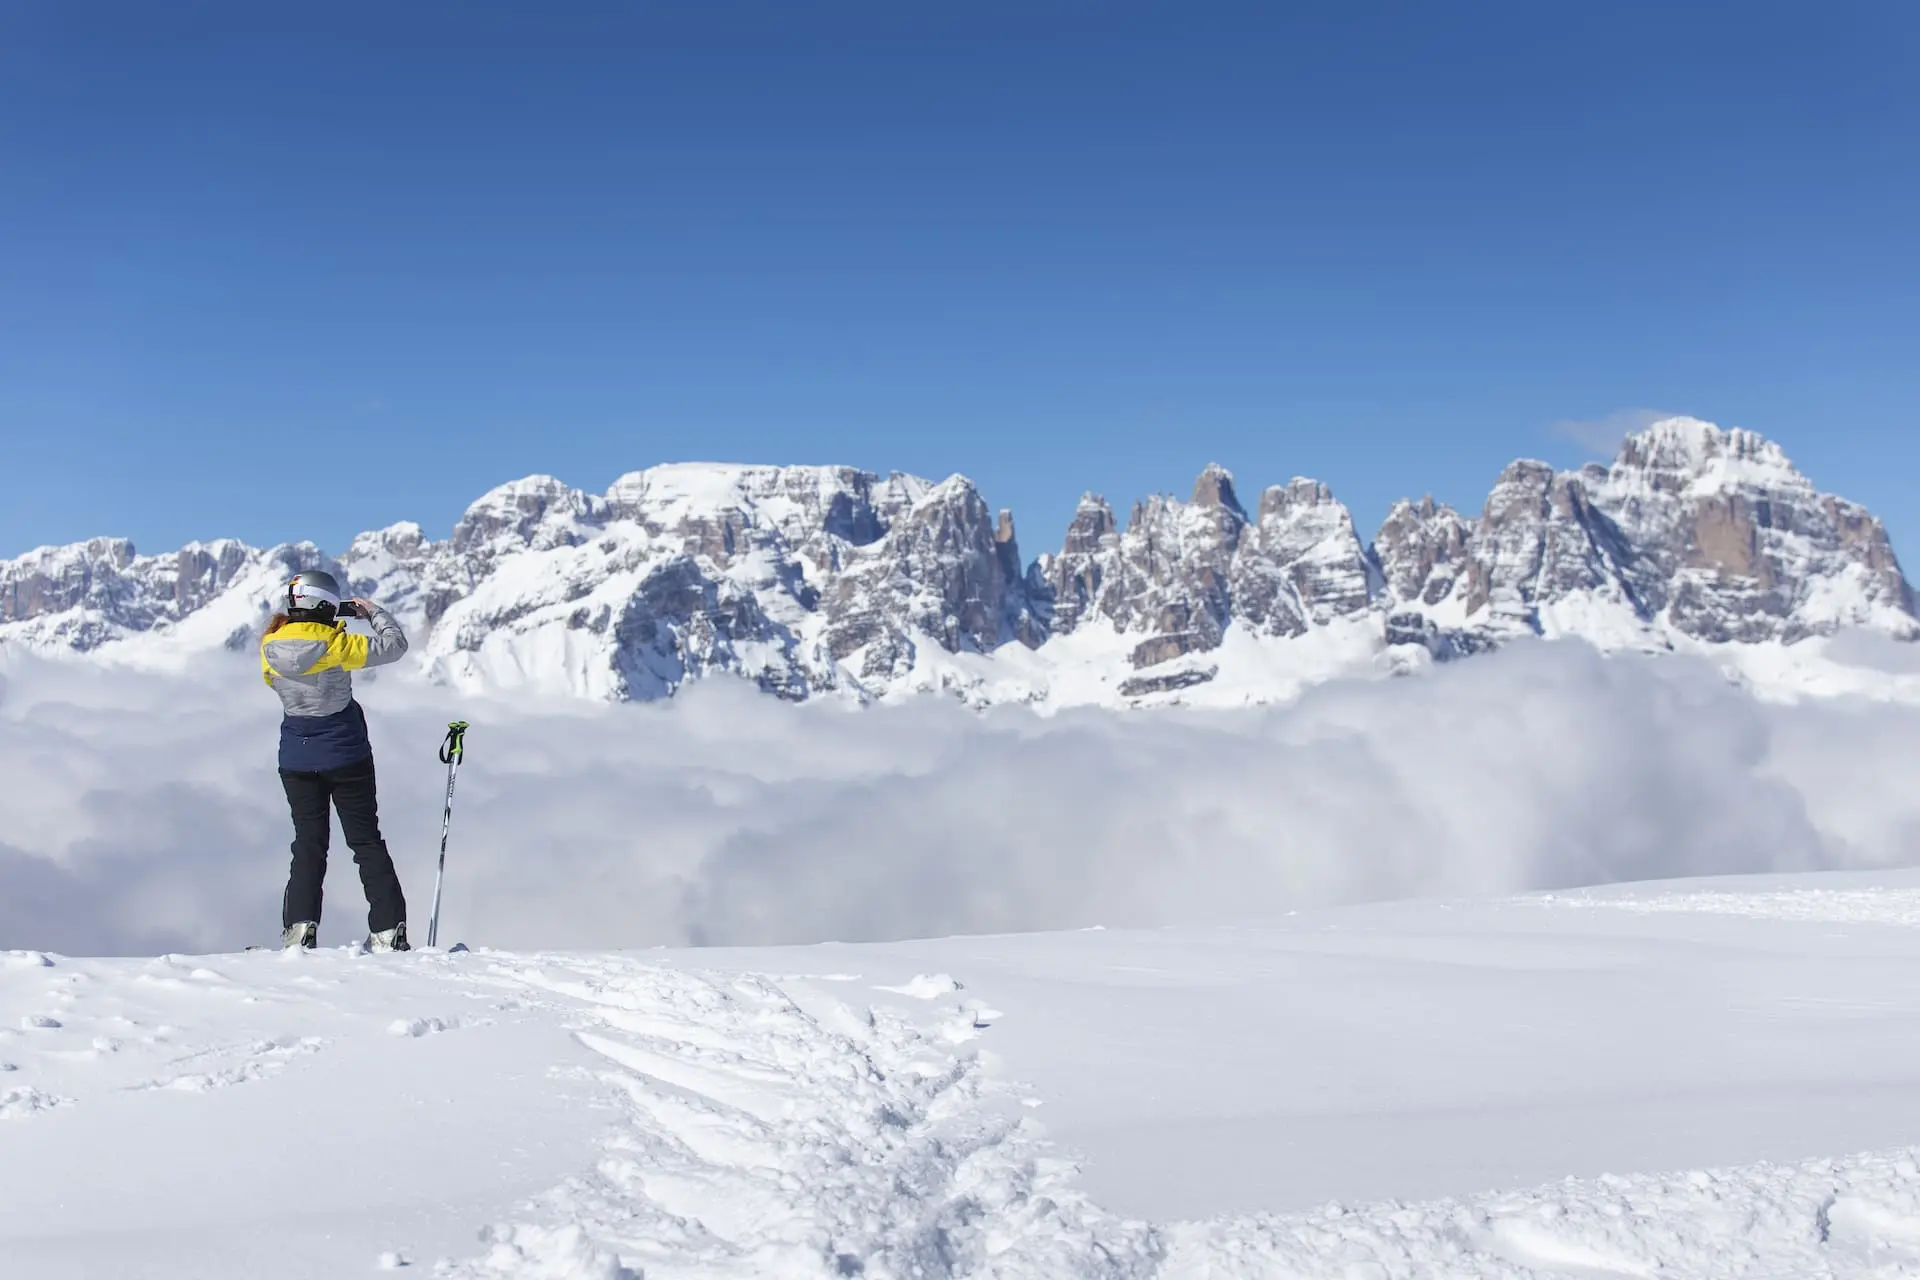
<point x="759" y="1139"/>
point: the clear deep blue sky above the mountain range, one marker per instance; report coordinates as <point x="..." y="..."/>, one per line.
<point x="295" y="272"/>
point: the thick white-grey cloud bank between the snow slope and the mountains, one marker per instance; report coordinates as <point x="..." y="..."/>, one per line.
<point x="141" y="813"/>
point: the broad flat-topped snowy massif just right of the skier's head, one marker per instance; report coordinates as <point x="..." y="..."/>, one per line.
<point x="802" y="579"/>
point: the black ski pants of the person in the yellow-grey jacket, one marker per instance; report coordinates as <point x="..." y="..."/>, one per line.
<point x="352" y="794"/>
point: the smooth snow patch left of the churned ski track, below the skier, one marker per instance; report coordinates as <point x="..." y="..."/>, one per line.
<point x="252" y="1114"/>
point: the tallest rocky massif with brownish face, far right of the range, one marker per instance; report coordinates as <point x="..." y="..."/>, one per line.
<point x="1694" y="534"/>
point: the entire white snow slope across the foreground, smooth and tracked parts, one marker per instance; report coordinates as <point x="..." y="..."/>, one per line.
<point x="1685" y="1081"/>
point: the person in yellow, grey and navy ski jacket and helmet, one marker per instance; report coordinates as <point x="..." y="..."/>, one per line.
<point x="310" y="657"/>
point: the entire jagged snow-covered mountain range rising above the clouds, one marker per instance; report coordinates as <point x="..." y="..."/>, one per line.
<point x="827" y="581"/>
